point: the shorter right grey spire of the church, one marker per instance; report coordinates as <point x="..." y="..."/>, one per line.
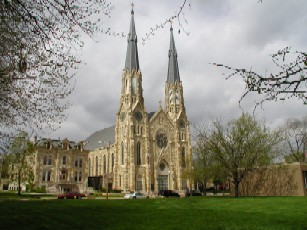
<point x="173" y="70"/>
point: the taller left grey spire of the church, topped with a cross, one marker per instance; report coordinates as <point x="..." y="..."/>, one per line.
<point x="132" y="57"/>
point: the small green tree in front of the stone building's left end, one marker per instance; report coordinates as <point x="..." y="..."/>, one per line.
<point x="20" y="160"/>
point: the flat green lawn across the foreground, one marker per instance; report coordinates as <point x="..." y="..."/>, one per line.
<point x="184" y="213"/>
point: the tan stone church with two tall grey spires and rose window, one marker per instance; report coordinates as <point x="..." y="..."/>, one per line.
<point x="151" y="150"/>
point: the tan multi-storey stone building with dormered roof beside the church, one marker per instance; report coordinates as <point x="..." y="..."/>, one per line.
<point x="60" y="166"/>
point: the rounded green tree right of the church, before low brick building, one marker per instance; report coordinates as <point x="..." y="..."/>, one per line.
<point x="241" y="146"/>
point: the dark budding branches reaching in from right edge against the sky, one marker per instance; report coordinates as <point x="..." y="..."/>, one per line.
<point x="289" y="82"/>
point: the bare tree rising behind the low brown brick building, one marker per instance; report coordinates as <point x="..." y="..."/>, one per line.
<point x="296" y="140"/>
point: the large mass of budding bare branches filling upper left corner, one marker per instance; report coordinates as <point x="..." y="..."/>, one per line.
<point x="38" y="58"/>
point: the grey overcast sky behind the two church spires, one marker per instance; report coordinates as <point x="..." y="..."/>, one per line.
<point x="237" y="33"/>
